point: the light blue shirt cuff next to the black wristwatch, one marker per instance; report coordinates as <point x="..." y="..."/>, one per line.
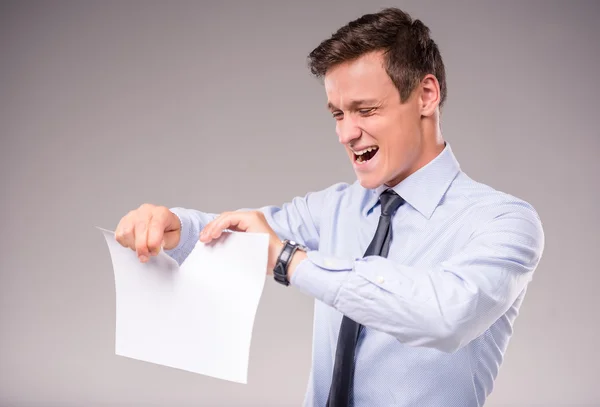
<point x="321" y="276"/>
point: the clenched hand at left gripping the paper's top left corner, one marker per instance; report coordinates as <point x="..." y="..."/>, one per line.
<point x="147" y="229"/>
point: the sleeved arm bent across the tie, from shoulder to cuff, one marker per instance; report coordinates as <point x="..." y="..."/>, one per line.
<point x="444" y="307"/>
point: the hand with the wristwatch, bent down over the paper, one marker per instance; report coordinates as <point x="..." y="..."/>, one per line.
<point x="244" y="221"/>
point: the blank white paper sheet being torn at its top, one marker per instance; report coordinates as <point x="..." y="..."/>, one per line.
<point x="196" y="317"/>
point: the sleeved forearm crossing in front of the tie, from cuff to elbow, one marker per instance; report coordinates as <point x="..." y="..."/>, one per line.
<point x="442" y="307"/>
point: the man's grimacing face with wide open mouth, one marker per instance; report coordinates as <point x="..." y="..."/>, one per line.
<point x="382" y="136"/>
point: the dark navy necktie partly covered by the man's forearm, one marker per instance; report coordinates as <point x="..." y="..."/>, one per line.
<point x="343" y="369"/>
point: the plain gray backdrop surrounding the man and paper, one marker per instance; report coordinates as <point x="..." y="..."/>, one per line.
<point x="209" y="105"/>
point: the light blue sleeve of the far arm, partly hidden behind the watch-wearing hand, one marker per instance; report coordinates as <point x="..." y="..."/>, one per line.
<point x="297" y="220"/>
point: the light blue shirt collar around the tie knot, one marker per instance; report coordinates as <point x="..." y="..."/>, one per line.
<point x="424" y="189"/>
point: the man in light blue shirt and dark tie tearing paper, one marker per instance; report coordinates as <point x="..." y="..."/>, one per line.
<point x="418" y="270"/>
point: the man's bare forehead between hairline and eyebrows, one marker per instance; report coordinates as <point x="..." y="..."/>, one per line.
<point x="362" y="78"/>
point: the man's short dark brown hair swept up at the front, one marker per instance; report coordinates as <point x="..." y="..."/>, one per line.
<point x="409" y="52"/>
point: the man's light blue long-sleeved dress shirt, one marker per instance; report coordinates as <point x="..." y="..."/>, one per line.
<point x="438" y="311"/>
